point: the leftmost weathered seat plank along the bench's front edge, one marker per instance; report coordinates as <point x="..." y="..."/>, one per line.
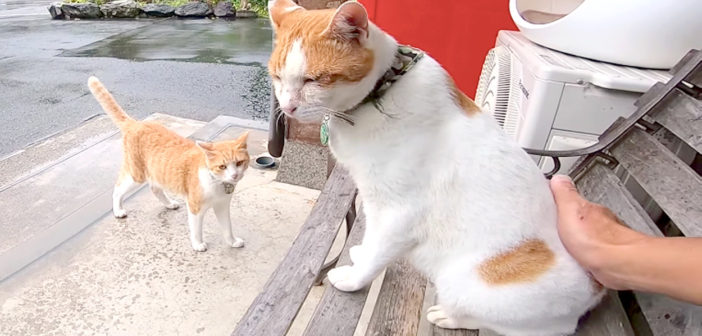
<point x="274" y="309"/>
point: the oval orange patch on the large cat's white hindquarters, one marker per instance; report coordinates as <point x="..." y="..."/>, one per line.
<point x="525" y="262"/>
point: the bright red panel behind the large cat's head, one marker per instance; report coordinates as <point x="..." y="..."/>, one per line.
<point x="458" y="33"/>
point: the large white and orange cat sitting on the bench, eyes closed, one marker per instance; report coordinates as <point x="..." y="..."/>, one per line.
<point x="441" y="183"/>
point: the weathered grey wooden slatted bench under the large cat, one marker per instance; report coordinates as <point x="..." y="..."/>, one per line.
<point x="631" y="148"/>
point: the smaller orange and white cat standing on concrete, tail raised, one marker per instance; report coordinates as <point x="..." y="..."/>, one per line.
<point x="203" y="173"/>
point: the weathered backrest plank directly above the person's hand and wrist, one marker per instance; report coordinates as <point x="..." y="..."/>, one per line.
<point x="600" y="185"/>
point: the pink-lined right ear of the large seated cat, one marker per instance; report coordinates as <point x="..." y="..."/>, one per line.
<point x="350" y="23"/>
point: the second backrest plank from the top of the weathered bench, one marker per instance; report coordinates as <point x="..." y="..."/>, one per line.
<point x="671" y="183"/>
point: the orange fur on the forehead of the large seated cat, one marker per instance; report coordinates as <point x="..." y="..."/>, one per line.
<point x="329" y="59"/>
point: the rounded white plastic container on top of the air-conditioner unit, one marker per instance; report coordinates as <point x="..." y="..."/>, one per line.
<point x="643" y="33"/>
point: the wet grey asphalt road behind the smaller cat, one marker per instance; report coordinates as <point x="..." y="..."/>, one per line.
<point x="196" y="69"/>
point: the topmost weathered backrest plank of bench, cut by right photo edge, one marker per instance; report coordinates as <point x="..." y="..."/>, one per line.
<point x="682" y="115"/>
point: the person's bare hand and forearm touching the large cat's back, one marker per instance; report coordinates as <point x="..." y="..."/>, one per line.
<point x="621" y="258"/>
